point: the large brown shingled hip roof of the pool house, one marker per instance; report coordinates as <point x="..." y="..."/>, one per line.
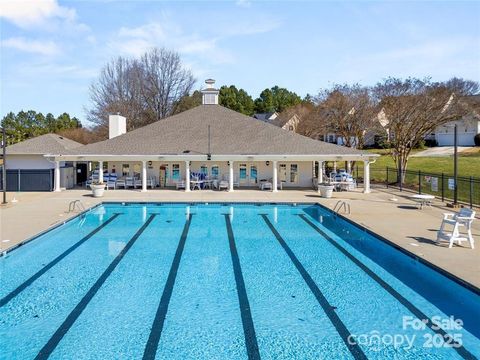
<point x="232" y="133"/>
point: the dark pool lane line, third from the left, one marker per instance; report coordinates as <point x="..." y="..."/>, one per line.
<point x="157" y="326"/>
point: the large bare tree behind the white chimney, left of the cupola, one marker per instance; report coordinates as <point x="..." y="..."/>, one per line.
<point x="143" y="90"/>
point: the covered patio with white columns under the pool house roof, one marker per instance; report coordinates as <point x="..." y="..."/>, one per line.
<point x="272" y="173"/>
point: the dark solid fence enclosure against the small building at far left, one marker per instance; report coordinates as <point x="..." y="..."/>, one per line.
<point x="29" y="180"/>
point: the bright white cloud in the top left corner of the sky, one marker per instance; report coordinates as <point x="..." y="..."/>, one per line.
<point x="31" y="13"/>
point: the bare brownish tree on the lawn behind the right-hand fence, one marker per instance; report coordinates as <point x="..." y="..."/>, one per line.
<point x="412" y="108"/>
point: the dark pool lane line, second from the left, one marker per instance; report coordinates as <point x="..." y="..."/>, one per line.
<point x="50" y="346"/>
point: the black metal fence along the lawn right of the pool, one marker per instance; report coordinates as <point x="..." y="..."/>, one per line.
<point x="440" y="185"/>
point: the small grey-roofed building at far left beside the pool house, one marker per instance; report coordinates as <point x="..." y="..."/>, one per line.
<point x="29" y="170"/>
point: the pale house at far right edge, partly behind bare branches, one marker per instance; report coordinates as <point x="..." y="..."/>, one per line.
<point x="467" y="127"/>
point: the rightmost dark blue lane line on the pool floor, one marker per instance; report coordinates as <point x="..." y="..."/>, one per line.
<point x="464" y="353"/>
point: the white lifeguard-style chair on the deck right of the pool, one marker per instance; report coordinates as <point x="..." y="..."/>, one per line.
<point x="463" y="219"/>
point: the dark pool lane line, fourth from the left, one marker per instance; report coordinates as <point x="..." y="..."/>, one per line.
<point x="246" y="314"/>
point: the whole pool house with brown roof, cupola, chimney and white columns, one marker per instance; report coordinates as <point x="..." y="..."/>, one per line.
<point x="212" y="142"/>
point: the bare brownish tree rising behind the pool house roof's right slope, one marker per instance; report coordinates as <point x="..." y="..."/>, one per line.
<point x="348" y="111"/>
